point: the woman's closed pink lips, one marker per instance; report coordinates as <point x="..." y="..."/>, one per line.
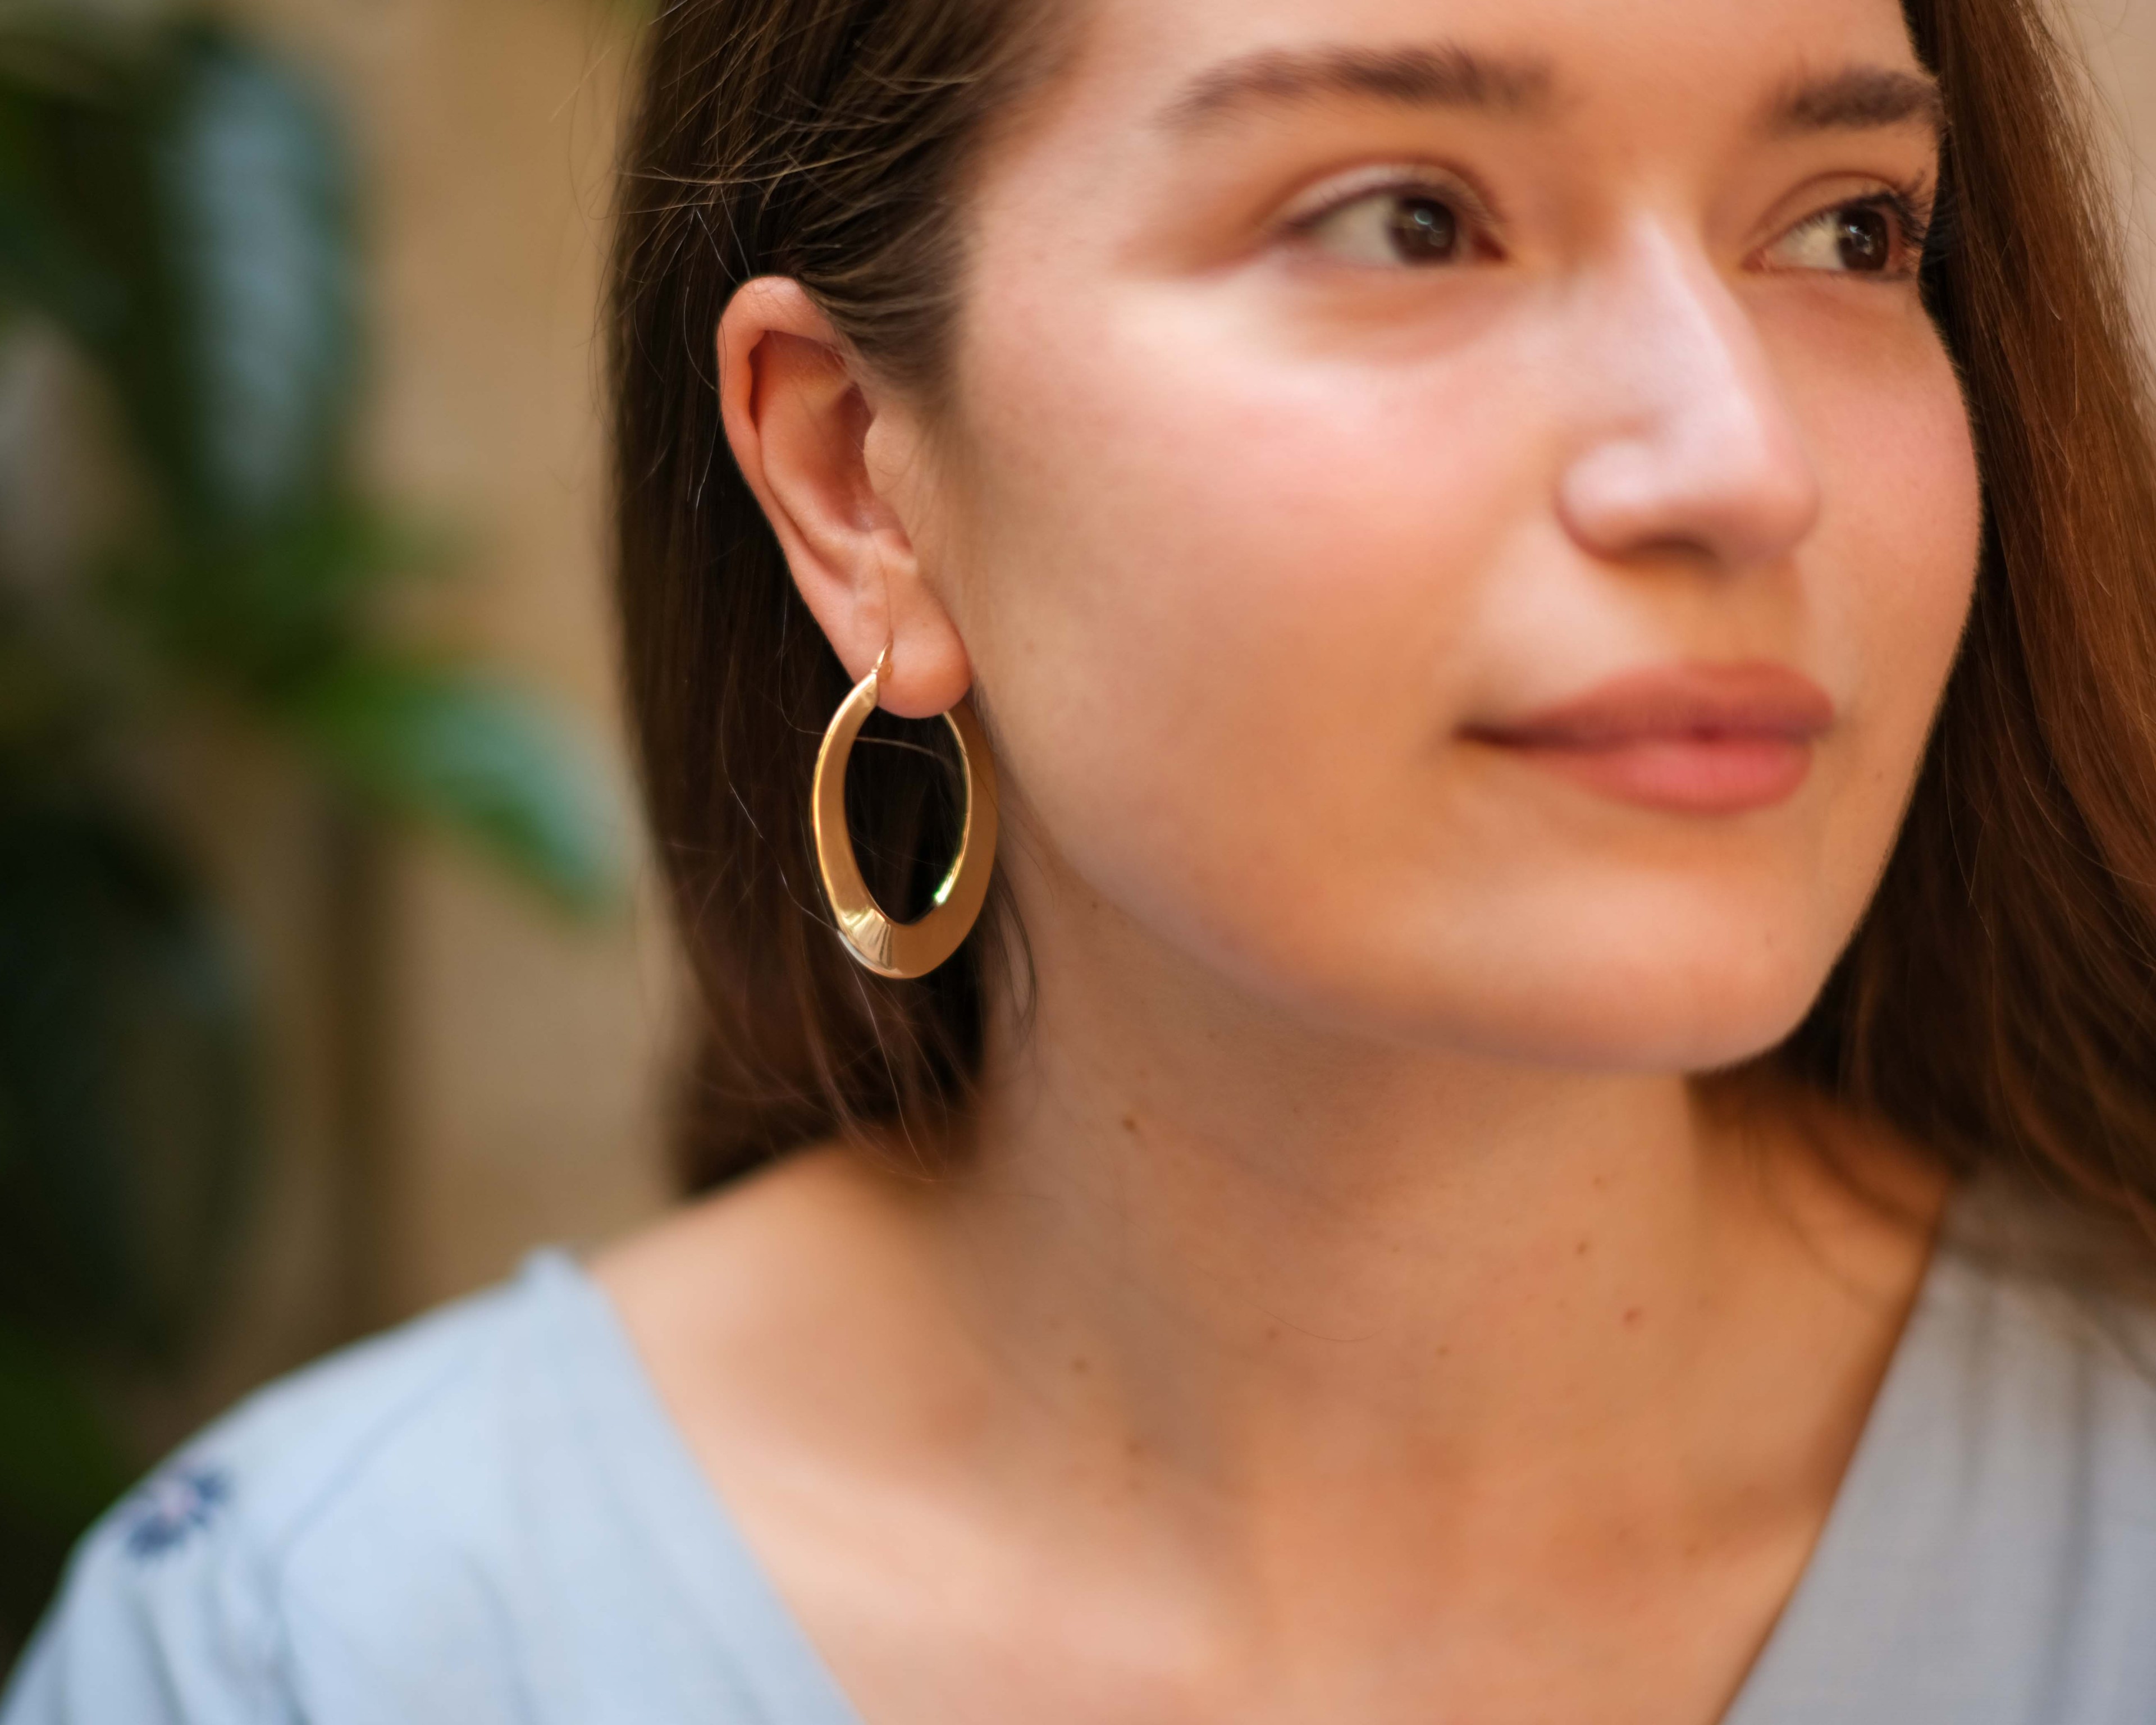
<point x="1685" y="739"/>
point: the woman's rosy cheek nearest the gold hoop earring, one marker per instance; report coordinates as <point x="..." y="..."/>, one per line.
<point x="1224" y="605"/>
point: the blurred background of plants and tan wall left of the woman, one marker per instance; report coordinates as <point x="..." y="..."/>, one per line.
<point x="309" y="775"/>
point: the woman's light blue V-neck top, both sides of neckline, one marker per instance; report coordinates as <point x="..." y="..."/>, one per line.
<point x="488" y="1519"/>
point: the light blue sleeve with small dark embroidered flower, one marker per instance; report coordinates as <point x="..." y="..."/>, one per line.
<point x="163" y="1620"/>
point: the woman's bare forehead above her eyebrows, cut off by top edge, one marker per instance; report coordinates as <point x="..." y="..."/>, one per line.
<point x="1586" y="61"/>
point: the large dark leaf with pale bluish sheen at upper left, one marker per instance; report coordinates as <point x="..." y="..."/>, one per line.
<point x="186" y="210"/>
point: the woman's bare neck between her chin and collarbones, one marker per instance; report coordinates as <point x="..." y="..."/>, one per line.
<point x="1277" y="1258"/>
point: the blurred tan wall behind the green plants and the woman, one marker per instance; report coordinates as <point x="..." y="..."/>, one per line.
<point x="456" y="1068"/>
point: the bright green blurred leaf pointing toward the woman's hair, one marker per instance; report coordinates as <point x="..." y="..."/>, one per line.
<point x="467" y="751"/>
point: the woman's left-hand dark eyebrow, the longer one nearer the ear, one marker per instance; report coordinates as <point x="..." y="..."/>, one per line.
<point x="1407" y="77"/>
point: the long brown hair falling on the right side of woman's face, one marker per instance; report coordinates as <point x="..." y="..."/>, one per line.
<point x="2000" y="999"/>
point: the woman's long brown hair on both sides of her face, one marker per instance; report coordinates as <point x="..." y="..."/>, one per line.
<point x="2000" y="999"/>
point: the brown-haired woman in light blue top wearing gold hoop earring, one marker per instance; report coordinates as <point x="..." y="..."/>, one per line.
<point x="1549" y="1109"/>
